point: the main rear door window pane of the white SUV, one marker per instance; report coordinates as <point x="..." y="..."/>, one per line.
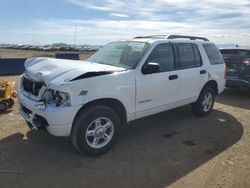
<point x="186" y="55"/>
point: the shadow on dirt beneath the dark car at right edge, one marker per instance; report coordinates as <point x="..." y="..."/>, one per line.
<point x="235" y="97"/>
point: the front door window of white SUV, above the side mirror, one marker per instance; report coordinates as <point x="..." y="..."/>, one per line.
<point x="163" y="54"/>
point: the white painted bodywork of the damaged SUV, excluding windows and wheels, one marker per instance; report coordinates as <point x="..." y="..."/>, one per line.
<point x="141" y="95"/>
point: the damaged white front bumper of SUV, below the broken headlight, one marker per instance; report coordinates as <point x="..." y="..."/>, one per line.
<point x="56" y="120"/>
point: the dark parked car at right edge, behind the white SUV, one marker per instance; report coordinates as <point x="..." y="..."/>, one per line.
<point x="238" y="67"/>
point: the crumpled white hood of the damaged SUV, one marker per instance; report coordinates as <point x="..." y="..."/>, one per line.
<point x="60" y="71"/>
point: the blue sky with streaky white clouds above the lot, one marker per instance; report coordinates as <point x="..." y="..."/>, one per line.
<point x="96" y="22"/>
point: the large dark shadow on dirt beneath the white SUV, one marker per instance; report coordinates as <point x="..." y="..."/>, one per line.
<point x="152" y="152"/>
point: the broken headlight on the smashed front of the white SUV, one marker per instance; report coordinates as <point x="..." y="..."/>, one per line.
<point x="56" y="97"/>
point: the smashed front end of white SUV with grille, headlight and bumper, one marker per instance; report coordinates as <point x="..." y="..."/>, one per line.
<point x="42" y="106"/>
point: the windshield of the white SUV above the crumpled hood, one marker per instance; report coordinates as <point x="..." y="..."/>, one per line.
<point x="120" y="54"/>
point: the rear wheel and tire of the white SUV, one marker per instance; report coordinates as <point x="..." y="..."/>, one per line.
<point x="204" y="105"/>
